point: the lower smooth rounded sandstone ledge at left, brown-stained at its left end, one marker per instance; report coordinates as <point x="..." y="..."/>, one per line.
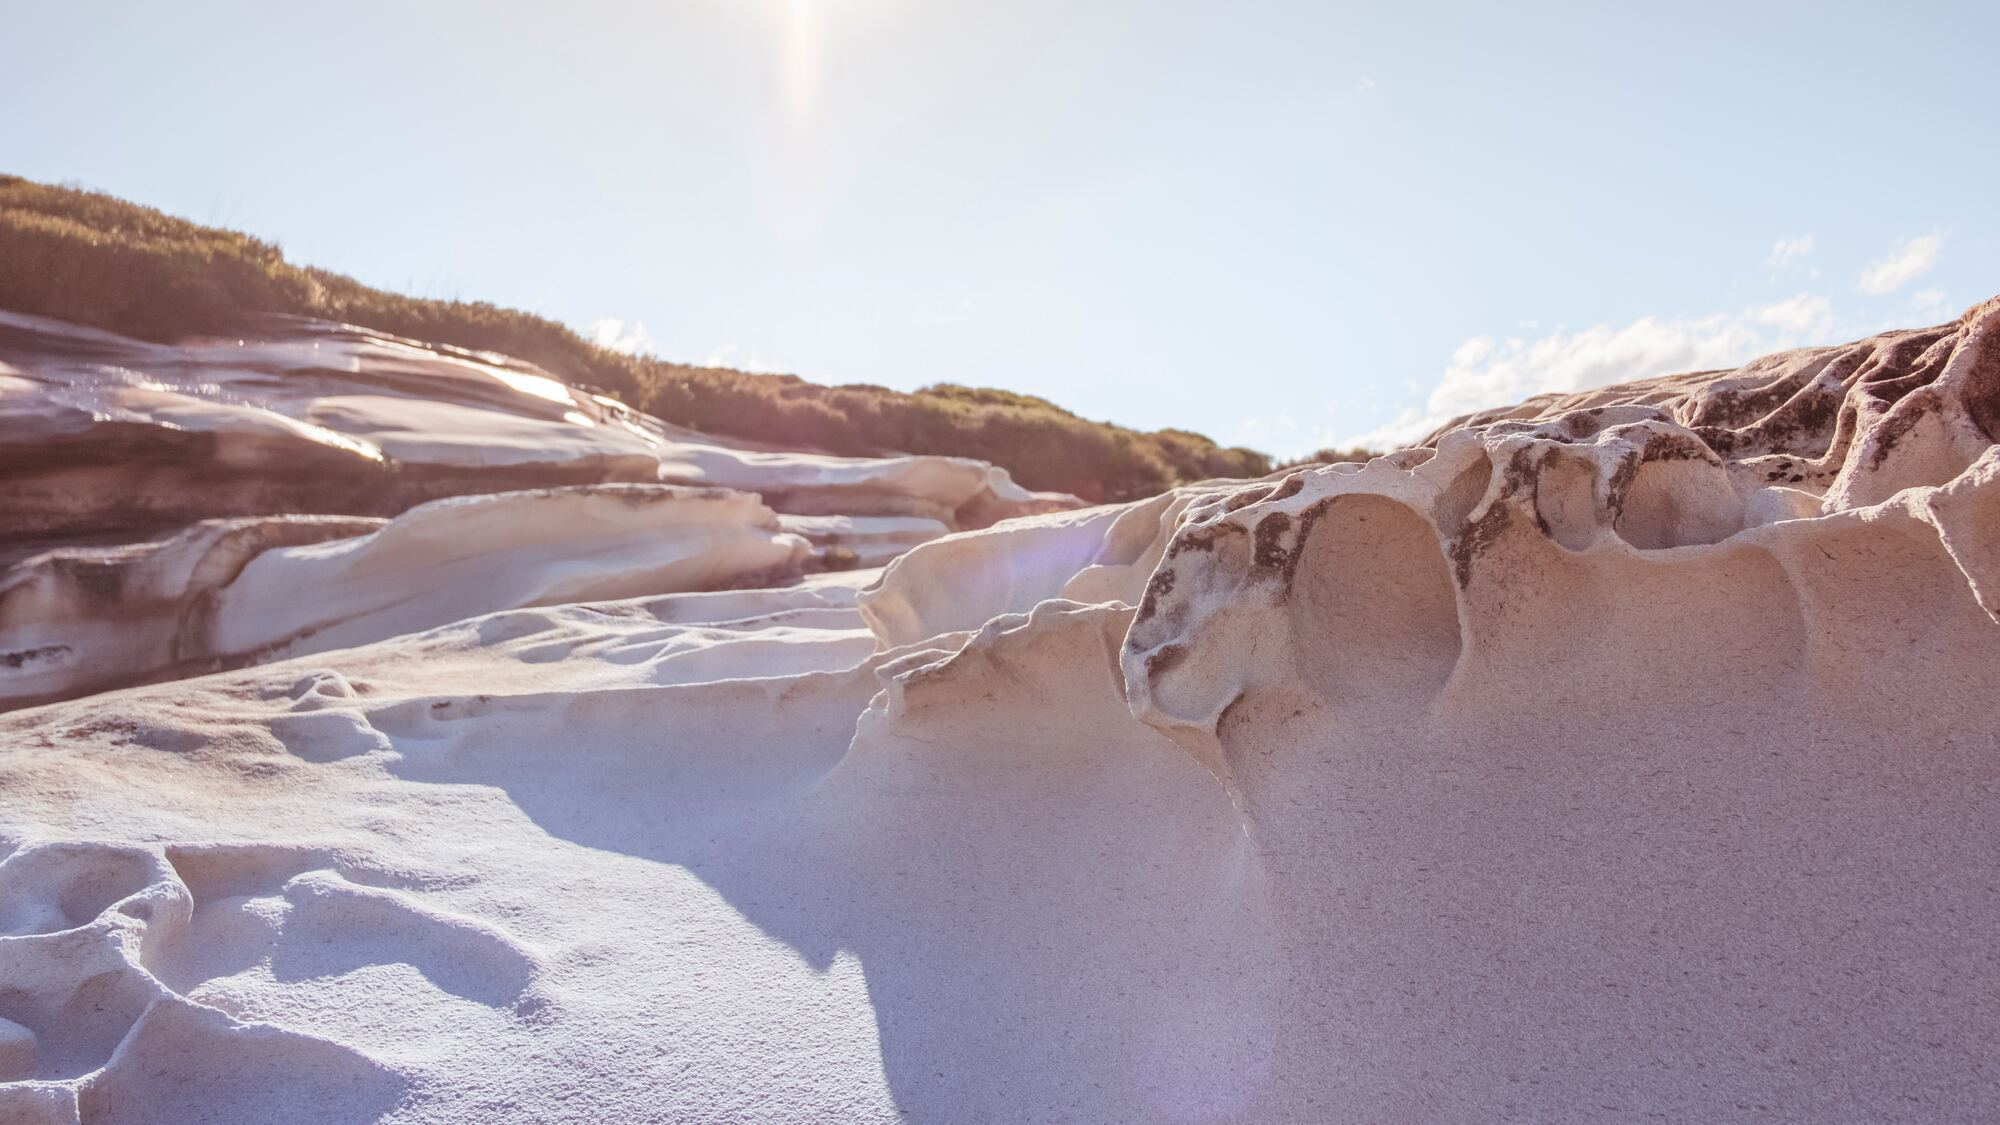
<point x="231" y="594"/>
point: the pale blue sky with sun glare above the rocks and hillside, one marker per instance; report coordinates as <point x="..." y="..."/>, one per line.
<point x="1277" y="223"/>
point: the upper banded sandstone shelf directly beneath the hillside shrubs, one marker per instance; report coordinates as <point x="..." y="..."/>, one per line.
<point x="105" y="435"/>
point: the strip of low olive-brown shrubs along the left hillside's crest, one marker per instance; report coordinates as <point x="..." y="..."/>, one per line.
<point x="107" y="263"/>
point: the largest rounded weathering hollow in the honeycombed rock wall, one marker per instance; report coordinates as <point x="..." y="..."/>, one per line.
<point x="1373" y="606"/>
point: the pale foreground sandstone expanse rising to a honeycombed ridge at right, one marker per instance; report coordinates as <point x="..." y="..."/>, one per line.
<point x="1613" y="758"/>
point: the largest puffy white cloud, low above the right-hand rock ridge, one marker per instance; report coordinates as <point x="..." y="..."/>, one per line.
<point x="1495" y="373"/>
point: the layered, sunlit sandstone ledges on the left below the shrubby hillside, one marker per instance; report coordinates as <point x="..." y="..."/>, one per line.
<point x="145" y="481"/>
